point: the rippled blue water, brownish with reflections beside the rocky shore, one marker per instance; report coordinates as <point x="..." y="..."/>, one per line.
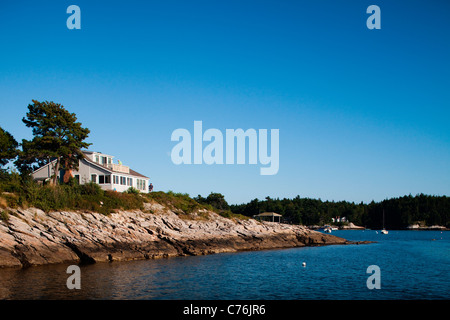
<point x="413" y="265"/>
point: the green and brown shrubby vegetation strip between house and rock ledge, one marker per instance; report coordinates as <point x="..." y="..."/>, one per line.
<point x="16" y="192"/>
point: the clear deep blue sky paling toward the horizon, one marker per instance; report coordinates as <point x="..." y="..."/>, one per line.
<point x="363" y="114"/>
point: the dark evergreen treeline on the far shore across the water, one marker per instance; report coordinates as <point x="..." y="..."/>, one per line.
<point x="399" y="212"/>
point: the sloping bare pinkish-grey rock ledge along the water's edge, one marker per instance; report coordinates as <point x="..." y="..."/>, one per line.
<point x="32" y="237"/>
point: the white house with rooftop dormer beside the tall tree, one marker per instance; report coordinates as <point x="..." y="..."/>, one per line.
<point x="99" y="168"/>
